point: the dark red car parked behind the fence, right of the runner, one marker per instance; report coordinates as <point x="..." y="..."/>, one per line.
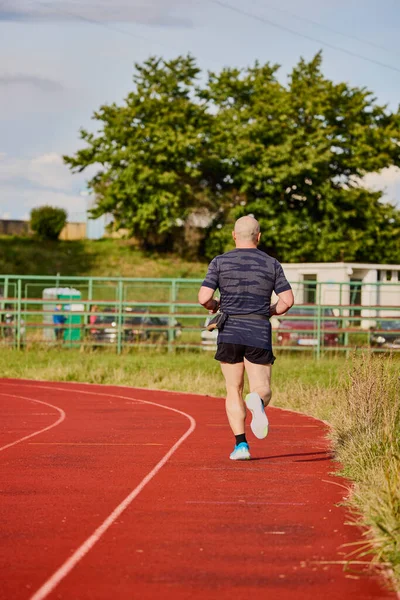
<point x="301" y="328"/>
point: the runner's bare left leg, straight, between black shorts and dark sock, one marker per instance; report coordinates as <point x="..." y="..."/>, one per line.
<point x="235" y="407"/>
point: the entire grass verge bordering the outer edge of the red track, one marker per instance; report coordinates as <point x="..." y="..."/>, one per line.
<point x="357" y="396"/>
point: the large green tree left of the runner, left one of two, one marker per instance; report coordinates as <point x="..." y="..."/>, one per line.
<point x="151" y="152"/>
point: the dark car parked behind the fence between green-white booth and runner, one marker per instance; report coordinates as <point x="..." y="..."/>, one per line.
<point x="136" y="328"/>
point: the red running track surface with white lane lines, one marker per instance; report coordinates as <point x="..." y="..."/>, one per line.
<point x="119" y="493"/>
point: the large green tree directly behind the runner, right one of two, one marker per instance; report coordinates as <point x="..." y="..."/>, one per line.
<point x="298" y="155"/>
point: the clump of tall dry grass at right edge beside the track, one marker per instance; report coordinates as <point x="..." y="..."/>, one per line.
<point x="366" y="437"/>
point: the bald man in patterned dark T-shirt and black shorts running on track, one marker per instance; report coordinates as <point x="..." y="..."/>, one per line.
<point x="246" y="278"/>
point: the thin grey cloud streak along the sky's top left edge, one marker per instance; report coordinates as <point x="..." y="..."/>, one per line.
<point x="149" y="12"/>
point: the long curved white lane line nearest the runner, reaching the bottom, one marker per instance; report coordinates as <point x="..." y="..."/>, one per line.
<point x="88" y="544"/>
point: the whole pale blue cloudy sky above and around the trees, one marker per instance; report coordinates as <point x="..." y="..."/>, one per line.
<point x="62" y="59"/>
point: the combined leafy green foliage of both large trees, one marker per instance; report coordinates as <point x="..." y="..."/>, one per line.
<point x="178" y="152"/>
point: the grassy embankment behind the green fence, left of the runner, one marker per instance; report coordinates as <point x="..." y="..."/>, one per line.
<point x="97" y="258"/>
